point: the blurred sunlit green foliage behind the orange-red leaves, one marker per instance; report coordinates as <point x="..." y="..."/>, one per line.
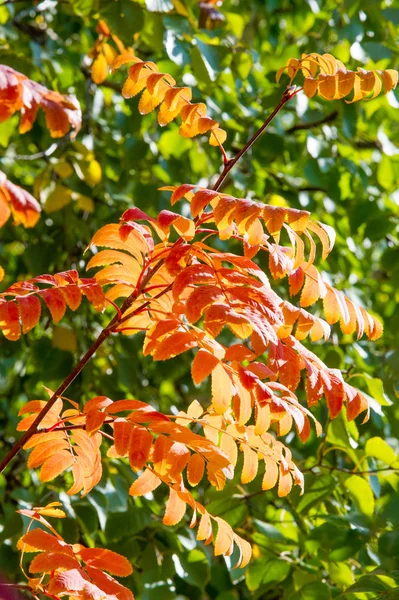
<point x="339" y="161"/>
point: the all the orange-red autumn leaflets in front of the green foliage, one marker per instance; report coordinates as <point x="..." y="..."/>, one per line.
<point x="167" y="277"/>
